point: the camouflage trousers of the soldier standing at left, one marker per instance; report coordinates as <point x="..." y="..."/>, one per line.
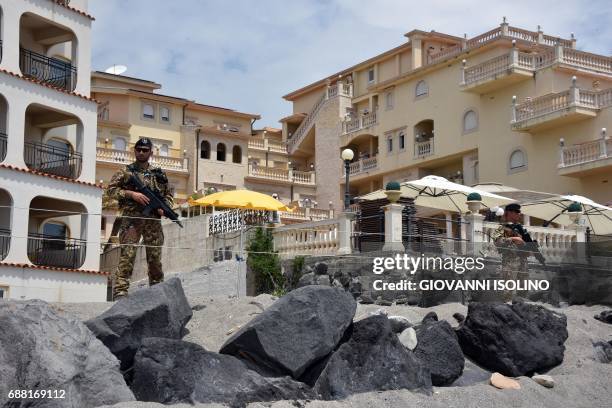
<point x="130" y="232"/>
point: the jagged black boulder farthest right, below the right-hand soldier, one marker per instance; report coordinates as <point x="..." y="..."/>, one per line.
<point x="514" y="340"/>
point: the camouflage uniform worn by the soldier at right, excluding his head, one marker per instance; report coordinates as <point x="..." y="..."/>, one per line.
<point x="514" y="259"/>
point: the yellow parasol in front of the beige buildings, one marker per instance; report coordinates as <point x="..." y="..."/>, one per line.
<point x="245" y="199"/>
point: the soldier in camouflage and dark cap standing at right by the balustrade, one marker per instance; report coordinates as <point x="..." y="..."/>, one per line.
<point x="511" y="248"/>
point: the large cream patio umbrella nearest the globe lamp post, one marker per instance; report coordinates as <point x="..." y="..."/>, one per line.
<point x="437" y="192"/>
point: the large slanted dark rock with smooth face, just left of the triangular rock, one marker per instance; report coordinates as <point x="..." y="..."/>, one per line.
<point x="294" y="333"/>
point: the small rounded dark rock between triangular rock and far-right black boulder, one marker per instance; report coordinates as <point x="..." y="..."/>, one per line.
<point x="439" y="351"/>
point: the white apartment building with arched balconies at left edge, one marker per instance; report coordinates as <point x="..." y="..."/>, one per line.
<point x="49" y="203"/>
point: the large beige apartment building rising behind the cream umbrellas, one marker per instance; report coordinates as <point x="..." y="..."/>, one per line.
<point x="513" y="106"/>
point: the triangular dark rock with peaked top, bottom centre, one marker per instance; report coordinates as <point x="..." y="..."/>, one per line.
<point x="373" y="359"/>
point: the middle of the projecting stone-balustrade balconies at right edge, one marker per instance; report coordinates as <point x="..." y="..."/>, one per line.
<point x="558" y="109"/>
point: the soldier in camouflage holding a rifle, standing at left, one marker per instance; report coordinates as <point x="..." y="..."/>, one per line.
<point x="133" y="224"/>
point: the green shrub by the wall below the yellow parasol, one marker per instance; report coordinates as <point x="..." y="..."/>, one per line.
<point x="265" y="263"/>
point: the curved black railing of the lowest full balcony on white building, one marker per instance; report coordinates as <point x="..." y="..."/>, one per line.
<point x="48" y="250"/>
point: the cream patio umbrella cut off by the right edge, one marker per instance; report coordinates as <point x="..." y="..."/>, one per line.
<point x="596" y="216"/>
